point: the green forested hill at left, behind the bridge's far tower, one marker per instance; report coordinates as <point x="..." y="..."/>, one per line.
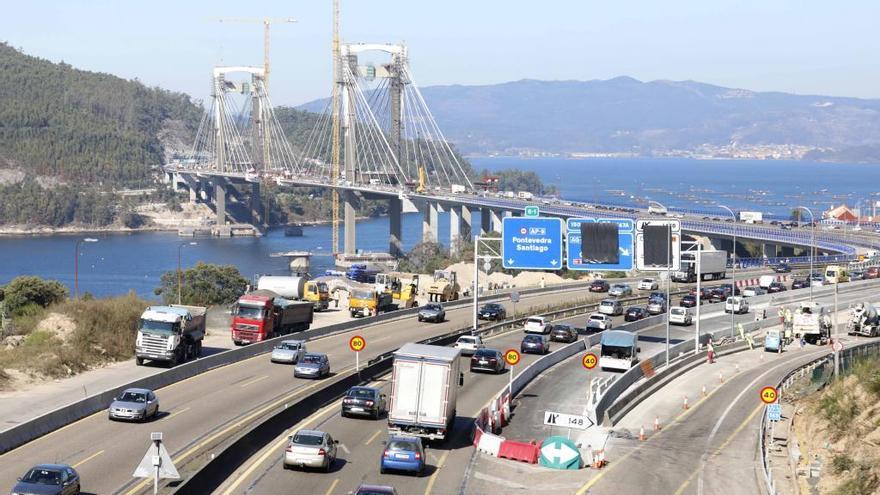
<point x="84" y="126"/>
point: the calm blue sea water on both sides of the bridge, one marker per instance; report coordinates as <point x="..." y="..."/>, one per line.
<point x="122" y="262"/>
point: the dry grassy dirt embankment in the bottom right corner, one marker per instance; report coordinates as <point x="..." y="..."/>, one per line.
<point x="838" y="431"/>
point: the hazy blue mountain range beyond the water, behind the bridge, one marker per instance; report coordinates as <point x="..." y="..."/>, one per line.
<point x="627" y="116"/>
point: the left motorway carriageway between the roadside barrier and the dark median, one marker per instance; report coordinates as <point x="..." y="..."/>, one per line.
<point x="222" y="400"/>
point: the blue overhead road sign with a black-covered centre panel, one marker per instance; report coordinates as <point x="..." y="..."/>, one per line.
<point x="600" y="252"/>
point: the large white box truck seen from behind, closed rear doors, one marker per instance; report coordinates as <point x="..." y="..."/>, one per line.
<point x="424" y="387"/>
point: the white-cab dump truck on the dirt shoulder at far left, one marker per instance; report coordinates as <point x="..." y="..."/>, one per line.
<point x="172" y="334"/>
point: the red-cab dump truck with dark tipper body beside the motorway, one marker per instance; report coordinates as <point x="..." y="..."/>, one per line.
<point x="264" y="314"/>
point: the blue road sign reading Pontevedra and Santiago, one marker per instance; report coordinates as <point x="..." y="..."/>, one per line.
<point x="531" y="243"/>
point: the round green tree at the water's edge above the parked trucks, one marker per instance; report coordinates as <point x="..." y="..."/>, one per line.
<point x="203" y="285"/>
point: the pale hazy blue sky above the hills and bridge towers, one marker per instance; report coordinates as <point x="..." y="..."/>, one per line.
<point x="801" y="46"/>
